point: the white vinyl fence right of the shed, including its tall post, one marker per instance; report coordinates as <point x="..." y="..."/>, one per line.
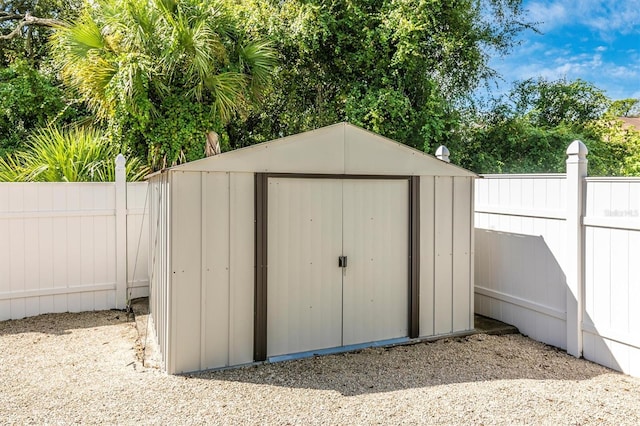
<point x="559" y="257"/>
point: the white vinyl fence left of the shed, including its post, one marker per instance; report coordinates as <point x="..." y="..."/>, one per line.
<point x="69" y="247"/>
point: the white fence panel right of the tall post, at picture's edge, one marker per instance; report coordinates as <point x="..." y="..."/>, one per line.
<point x="611" y="321"/>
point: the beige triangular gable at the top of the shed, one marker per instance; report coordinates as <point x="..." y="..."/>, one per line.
<point x="338" y="149"/>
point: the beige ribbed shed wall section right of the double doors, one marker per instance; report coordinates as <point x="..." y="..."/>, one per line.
<point x="446" y="253"/>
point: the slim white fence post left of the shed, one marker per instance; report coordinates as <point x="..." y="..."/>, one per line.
<point x="121" y="233"/>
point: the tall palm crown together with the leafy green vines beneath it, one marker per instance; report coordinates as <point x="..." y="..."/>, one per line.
<point x="162" y="73"/>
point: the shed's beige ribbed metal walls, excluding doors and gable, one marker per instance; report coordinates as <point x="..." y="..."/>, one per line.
<point x="206" y="313"/>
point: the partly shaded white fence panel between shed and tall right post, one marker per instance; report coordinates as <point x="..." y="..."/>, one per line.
<point x="519" y="249"/>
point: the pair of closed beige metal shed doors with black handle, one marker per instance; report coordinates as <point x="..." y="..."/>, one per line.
<point x="312" y="301"/>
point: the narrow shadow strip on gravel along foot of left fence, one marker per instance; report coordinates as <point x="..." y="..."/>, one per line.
<point x="61" y="323"/>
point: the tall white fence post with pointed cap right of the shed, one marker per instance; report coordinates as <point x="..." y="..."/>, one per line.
<point x="576" y="172"/>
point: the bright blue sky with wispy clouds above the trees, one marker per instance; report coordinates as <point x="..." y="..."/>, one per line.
<point x="596" y="41"/>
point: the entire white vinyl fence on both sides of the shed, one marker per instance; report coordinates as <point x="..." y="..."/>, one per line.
<point x="556" y="255"/>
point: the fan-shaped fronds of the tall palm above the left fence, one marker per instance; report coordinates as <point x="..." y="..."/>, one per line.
<point x="129" y="55"/>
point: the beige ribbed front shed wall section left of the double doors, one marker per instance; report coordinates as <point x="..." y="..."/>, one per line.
<point x="212" y="270"/>
